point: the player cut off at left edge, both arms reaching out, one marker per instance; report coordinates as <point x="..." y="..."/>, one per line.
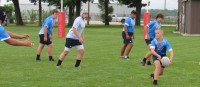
<point x="9" y="37"/>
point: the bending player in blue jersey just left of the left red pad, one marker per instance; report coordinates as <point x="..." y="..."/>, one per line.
<point x="46" y="34"/>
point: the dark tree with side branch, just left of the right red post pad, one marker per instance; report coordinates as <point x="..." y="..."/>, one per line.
<point x="134" y="3"/>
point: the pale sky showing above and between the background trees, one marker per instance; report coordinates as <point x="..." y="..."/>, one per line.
<point x="154" y="4"/>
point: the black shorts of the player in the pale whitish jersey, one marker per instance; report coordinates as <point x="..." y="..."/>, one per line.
<point x="72" y="42"/>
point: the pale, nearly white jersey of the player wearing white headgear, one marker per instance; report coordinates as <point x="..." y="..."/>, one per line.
<point x="79" y="24"/>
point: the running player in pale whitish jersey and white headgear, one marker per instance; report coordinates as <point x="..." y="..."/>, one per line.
<point x="75" y="38"/>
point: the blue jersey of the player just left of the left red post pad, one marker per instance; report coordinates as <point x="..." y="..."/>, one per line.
<point x="49" y="22"/>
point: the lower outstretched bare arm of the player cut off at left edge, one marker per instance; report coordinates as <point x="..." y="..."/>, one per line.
<point x="15" y="42"/>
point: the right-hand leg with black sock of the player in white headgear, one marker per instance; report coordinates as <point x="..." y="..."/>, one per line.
<point x="80" y="55"/>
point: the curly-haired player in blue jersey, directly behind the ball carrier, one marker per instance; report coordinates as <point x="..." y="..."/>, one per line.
<point x="151" y="28"/>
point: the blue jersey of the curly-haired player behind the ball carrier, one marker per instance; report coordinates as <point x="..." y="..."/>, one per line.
<point x="152" y="27"/>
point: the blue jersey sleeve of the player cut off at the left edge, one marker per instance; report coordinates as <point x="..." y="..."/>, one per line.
<point x="3" y="34"/>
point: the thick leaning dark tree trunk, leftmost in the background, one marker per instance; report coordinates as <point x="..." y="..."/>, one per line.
<point x="17" y="12"/>
